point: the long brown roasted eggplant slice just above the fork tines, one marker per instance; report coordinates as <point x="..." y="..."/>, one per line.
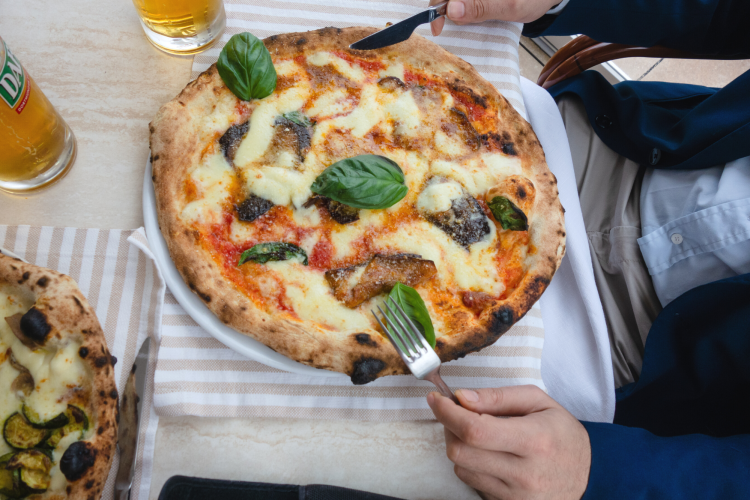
<point x="356" y="284"/>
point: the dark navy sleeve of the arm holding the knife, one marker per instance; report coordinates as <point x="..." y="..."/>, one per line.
<point x="709" y="27"/>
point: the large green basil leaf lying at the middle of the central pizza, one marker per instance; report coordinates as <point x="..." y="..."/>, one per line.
<point x="364" y="181"/>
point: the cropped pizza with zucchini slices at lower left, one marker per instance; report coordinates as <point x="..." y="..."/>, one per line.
<point x="58" y="399"/>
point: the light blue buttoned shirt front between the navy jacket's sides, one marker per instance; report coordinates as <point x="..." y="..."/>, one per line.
<point x="695" y="226"/>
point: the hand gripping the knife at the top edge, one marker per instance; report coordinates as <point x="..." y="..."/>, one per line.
<point x="476" y="11"/>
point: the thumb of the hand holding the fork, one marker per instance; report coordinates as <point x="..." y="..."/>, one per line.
<point x="506" y="401"/>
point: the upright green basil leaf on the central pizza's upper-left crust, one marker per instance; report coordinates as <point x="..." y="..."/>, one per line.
<point x="245" y="66"/>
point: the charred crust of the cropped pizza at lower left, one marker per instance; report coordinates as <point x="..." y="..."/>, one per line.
<point x="65" y="311"/>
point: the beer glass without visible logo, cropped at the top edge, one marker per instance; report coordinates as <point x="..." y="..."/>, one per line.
<point x="182" y="26"/>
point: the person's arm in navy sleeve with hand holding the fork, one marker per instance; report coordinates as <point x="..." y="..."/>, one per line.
<point x="542" y="451"/>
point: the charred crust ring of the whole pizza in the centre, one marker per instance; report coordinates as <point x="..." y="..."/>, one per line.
<point x="175" y="147"/>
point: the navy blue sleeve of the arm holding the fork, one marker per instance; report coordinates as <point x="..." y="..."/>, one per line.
<point x="631" y="463"/>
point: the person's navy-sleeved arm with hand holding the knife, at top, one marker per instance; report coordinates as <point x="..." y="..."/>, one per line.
<point x="701" y="26"/>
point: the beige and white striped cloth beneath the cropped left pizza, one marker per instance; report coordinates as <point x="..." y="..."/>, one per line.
<point x="124" y="287"/>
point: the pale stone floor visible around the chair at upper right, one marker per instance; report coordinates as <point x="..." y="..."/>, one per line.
<point x="698" y="72"/>
